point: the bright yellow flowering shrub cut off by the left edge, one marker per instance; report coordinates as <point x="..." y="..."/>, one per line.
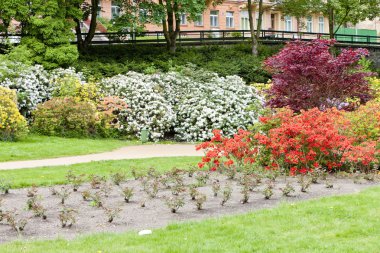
<point x="12" y="124"/>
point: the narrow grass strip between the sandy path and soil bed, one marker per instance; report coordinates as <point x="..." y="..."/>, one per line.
<point x="46" y="176"/>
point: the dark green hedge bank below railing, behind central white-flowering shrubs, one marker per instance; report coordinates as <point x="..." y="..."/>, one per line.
<point x="232" y="60"/>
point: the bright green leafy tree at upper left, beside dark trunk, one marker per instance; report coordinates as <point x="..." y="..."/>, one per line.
<point x="48" y="25"/>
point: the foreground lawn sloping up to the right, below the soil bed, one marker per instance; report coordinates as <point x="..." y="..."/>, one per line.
<point x="346" y="224"/>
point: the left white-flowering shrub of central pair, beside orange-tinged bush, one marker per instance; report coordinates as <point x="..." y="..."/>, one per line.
<point x="147" y="108"/>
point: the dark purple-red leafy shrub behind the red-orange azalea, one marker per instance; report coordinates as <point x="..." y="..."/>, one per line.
<point x="307" y="75"/>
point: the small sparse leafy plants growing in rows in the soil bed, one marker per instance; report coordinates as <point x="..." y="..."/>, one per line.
<point x="184" y="185"/>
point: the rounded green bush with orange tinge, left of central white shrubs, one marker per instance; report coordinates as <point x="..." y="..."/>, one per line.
<point x="66" y="117"/>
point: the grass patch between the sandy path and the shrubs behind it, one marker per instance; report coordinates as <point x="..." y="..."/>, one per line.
<point x="39" y="147"/>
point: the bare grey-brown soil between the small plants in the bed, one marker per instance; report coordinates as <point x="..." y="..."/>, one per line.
<point x="156" y="214"/>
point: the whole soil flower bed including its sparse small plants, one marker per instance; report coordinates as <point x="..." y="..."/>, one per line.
<point x="152" y="200"/>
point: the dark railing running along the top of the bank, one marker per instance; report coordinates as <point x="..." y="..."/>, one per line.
<point x="211" y="36"/>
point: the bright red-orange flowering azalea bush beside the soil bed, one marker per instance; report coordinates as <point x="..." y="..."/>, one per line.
<point x="299" y="143"/>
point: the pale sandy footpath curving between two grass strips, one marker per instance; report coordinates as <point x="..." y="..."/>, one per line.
<point x="129" y="152"/>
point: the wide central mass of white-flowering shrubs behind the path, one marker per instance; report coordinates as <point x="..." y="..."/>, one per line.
<point x="188" y="104"/>
